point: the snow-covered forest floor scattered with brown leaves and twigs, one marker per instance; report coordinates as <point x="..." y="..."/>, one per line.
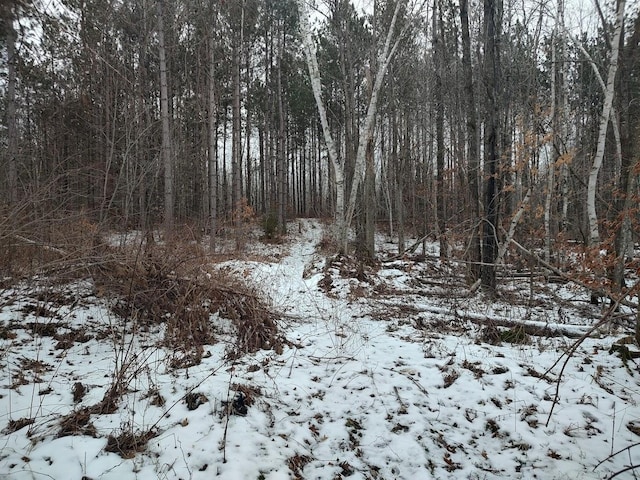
<point x="386" y="372"/>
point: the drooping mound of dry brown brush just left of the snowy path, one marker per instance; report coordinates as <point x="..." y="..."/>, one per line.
<point x="170" y="284"/>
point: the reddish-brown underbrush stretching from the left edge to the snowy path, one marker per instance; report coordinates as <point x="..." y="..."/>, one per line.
<point x="176" y="284"/>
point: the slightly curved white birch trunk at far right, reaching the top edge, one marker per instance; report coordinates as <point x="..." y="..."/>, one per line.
<point x="594" y="234"/>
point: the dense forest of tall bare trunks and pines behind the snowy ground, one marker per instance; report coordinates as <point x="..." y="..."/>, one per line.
<point x="476" y="123"/>
